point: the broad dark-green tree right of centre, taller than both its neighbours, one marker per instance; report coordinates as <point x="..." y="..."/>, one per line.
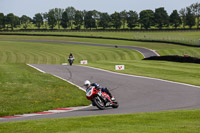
<point x="161" y="18"/>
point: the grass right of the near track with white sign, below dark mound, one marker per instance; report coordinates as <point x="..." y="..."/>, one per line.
<point x="178" y="72"/>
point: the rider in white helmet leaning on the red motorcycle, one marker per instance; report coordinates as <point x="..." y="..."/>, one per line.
<point x="97" y="86"/>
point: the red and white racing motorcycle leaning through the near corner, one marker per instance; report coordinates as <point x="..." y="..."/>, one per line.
<point x="100" y="99"/>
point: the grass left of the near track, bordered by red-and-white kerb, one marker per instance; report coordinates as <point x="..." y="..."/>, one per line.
<point x="25" y="90"/>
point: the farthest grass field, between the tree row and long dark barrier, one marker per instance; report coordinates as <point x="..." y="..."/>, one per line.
<point x="188" y="37"/>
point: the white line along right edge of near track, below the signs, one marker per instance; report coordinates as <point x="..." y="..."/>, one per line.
<point x="142" y="77"/>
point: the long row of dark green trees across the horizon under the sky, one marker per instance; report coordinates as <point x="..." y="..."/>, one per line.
<point x="76" y="19"/>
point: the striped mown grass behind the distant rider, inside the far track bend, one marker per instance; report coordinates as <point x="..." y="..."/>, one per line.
<point x="57" y="53"/>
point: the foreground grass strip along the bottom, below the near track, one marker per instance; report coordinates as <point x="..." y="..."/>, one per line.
<point x="157" y="122"/>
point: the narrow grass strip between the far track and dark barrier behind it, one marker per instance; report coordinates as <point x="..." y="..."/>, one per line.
<point x="161" y="48"/>
